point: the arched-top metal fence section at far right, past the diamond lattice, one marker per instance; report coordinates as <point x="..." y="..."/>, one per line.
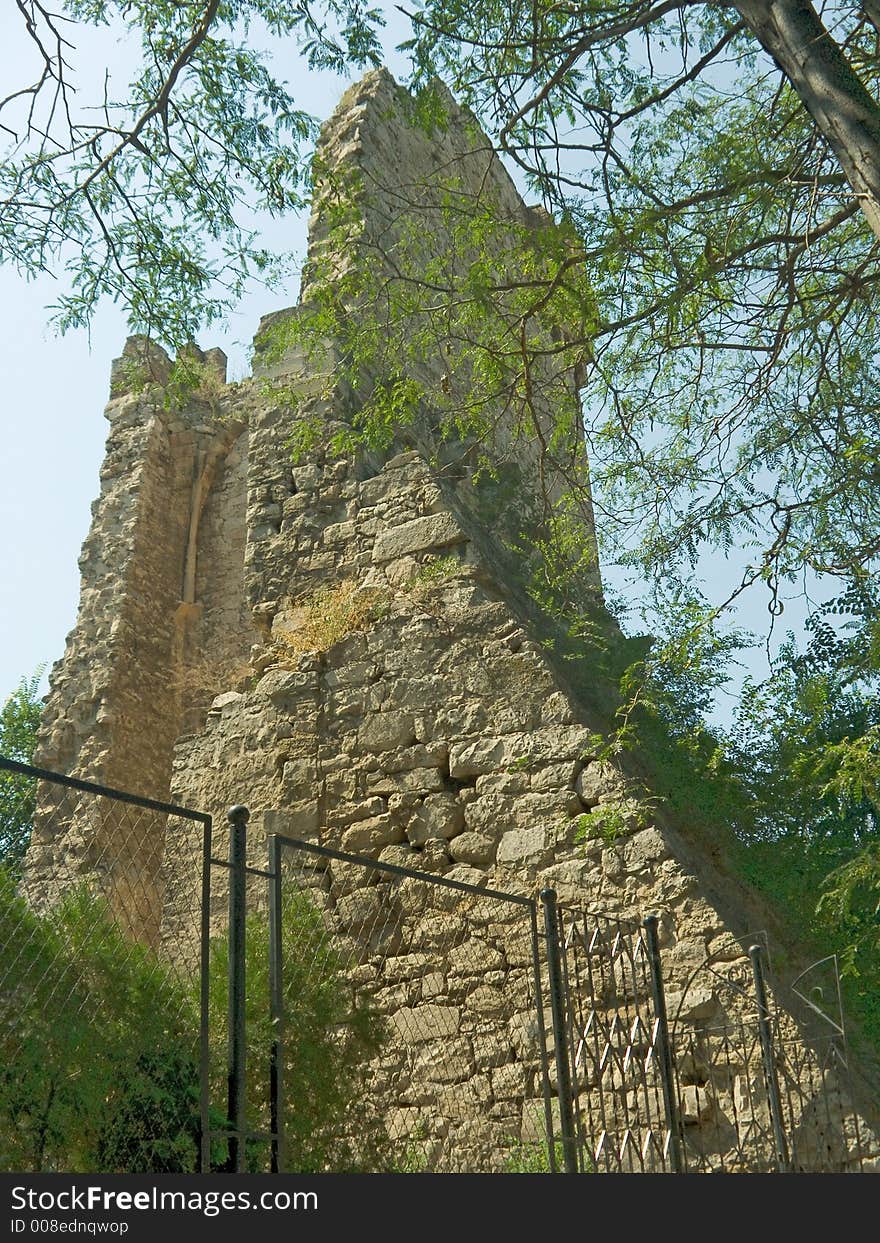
<point x="769" y="1091"/>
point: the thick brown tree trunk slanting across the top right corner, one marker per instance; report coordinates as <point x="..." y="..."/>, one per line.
<point x="828" y="86"/>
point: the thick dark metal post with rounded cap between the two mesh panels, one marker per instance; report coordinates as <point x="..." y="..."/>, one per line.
<point x="238" y="820"/>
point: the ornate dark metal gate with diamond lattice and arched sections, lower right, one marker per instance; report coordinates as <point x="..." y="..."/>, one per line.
<point x="729" y="1082"/>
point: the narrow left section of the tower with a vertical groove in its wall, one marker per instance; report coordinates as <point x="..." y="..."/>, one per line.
<point x="162" y="626"/>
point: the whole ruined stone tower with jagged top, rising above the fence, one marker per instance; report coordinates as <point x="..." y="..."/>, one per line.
<point x="345" y="642"/>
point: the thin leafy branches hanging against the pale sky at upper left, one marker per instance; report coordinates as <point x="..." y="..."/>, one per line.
<point x="146" y="191"/>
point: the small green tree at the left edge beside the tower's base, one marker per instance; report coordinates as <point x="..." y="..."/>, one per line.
<point x="19" y="725"/>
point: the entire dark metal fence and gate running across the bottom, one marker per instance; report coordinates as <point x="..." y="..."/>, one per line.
<point x="354" y="1015"/>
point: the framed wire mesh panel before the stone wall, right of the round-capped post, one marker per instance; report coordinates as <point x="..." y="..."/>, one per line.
<point x="408" y="1019"/>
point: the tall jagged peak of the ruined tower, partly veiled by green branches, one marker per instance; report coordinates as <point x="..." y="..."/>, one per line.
<point x="415" y="218"/>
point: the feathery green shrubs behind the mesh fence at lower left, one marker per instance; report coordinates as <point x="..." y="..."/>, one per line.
<point x="100" y="1047"/>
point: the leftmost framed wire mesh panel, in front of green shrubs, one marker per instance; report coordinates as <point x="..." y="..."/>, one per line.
<point x="100" y="1027"/>
